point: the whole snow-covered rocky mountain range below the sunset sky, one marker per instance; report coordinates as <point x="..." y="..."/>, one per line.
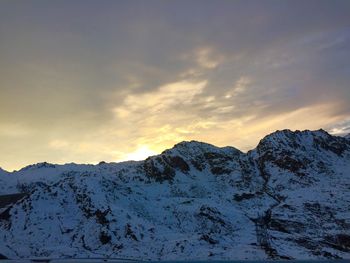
<point x="287" y="199"/>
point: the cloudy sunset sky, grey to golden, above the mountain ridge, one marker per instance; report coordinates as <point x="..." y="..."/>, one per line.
<point x="87" y="81"/>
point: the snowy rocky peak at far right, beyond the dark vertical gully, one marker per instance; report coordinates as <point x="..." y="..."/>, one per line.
<point x="308" y="173"/>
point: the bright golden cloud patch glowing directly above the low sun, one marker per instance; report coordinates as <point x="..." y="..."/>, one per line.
<point x="160" y="116"/>
